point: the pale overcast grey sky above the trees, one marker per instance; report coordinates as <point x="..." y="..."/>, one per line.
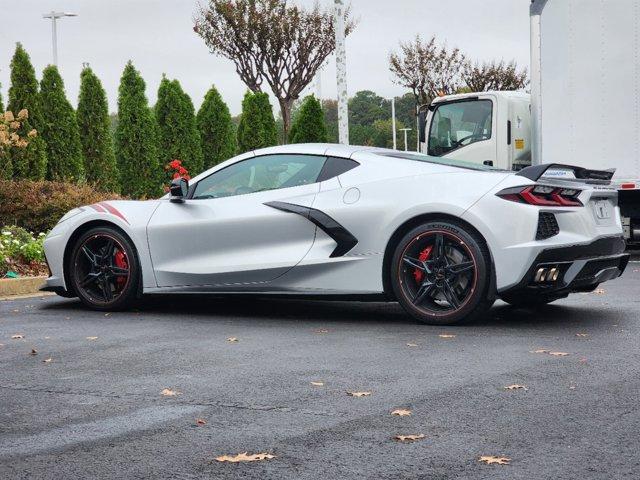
<point x="157" y="36"/>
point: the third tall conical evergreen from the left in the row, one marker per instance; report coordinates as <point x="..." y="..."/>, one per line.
<point x="97" y="143"/>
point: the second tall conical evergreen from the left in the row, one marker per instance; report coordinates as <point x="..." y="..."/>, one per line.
<point x="60" y="129"/>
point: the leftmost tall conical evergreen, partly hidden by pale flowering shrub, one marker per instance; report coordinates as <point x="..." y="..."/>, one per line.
<point x="30" y="162"/>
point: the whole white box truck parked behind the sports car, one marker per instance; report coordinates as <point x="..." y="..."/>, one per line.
<point x="583" y="110"/>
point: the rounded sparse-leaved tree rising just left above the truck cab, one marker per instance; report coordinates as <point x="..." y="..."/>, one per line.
<point x="427" y="68"/>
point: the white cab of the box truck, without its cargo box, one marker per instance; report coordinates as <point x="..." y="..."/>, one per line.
<point x="491" y="128"/>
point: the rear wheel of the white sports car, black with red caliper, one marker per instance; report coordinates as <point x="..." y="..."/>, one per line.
<point x="441" y="274"/>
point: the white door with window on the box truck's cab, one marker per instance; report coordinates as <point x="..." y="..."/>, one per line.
<point x="463" y="130"/>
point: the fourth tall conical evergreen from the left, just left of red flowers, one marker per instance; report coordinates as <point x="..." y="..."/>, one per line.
<point x="136" y="138"/>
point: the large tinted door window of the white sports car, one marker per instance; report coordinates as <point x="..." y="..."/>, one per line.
<point x="268" y="172"/>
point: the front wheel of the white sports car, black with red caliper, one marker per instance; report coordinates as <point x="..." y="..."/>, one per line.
<point x="103" y="269"/>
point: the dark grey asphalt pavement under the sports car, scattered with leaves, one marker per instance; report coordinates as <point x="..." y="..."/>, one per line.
<point x="89" y="402"/>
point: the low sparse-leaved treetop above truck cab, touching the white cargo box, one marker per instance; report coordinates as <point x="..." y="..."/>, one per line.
<point x="495" y="76"/>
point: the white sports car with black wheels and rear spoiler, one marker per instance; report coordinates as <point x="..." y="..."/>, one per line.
<point x="443" y="238"/>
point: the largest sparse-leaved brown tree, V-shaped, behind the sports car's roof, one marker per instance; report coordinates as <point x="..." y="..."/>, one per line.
<point x="270" y="41"/>
